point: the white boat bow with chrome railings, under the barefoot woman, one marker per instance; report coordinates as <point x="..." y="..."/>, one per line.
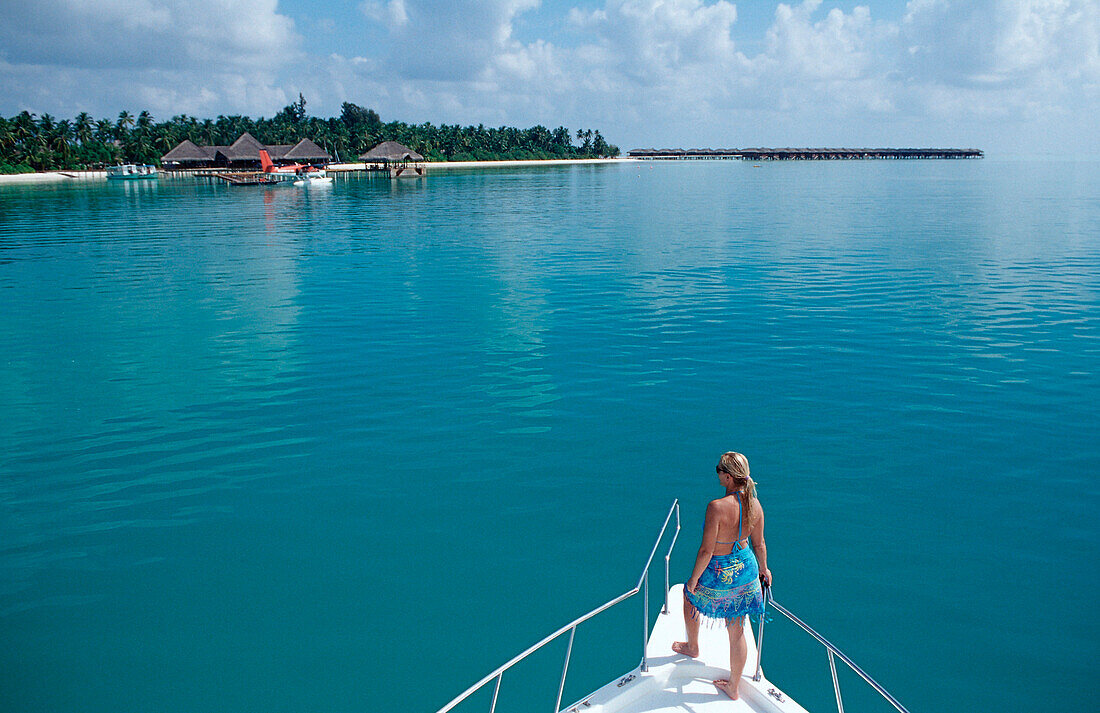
<point x="665" y="682"/>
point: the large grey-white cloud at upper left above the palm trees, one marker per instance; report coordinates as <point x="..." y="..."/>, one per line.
<point x="171" y="57"/>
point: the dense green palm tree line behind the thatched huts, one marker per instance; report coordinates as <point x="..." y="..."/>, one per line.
<point x="30" y="142"/>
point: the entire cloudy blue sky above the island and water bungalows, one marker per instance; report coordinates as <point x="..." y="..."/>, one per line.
<point x="1013" y="78"/>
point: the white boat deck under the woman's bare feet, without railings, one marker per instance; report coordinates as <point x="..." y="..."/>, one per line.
<point x="676" y="683"/>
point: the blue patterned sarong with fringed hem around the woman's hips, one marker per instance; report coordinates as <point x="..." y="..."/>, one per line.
<point x="730" y="588"/>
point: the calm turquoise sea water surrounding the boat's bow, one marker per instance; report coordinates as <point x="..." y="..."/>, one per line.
<point x="350" y="449"/>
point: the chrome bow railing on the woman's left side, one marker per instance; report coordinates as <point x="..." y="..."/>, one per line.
<point x="571" y="628"/>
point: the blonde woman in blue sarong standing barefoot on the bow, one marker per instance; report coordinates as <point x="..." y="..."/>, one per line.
<point x="725" y="585"/>
